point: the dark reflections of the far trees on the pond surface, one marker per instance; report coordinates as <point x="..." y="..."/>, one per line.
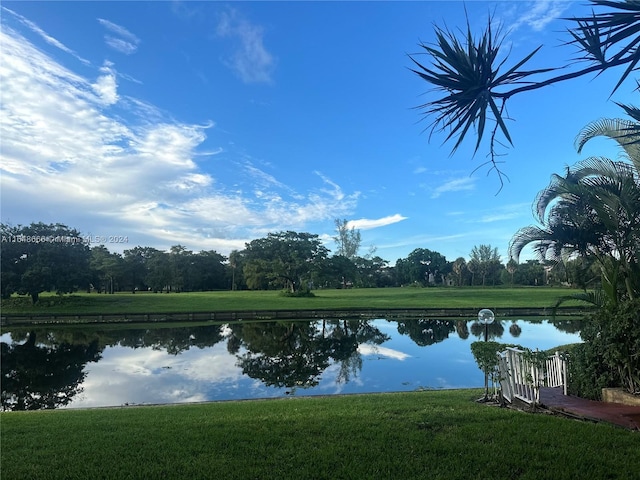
<point x="44" y="368"/>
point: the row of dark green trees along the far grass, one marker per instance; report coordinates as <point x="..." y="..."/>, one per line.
<point x="53" y="257"/>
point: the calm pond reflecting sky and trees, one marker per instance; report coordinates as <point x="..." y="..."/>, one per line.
<point x="115" y="365"/>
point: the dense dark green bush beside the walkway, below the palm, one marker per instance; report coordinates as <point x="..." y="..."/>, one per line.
<point x="610" y="356"/>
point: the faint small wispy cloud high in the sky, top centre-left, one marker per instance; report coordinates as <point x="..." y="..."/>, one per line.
<point x="251" y="60"/>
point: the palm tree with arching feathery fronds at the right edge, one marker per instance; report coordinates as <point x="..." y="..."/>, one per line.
<point x="594" y="211"/>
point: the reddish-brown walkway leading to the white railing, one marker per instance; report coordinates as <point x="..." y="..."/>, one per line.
<point x="616" y="413"/>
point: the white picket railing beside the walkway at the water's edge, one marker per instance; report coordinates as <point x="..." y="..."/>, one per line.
<point x="520" y="378"/>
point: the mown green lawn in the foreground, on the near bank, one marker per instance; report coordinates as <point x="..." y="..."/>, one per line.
<point x="434" y="434"/>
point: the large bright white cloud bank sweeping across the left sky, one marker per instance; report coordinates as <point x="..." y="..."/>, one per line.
<point x="75" y="152"/>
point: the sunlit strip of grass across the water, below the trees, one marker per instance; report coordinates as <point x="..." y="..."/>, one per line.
<point x="372" y="298"/>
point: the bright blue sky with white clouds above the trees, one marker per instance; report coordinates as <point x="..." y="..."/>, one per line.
<point x="209" y="124"/>
